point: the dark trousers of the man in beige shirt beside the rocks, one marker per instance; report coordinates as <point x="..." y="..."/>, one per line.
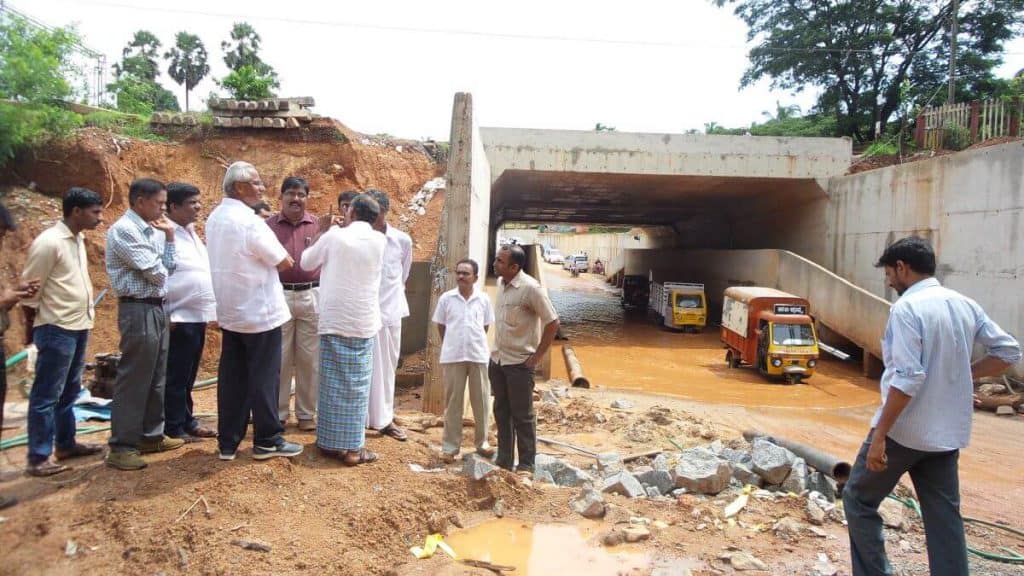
<point x="513" y="387"/>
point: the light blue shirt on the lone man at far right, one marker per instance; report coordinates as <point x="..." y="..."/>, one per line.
<point x="927" y="349"/>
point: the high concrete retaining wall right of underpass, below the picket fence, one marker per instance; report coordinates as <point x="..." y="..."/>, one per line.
<point x="970" y="204"/>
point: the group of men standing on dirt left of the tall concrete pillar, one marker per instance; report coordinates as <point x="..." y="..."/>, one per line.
<point x="259" y="280"/>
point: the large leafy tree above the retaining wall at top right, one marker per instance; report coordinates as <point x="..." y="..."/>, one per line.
<point x="862" y="53"/>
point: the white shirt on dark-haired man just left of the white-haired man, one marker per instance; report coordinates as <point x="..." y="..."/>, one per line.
<point x="190" y="290"/>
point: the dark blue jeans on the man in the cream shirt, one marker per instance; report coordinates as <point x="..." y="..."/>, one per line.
<point x="58" y="383"/>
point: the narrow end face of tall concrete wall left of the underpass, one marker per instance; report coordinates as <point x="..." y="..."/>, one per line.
<point x="453" y="239"/>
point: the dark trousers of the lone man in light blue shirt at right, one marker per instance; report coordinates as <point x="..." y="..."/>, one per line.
<point x="935" y="477"/>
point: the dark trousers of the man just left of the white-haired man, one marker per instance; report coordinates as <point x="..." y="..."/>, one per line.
<point x="184" y="355"/>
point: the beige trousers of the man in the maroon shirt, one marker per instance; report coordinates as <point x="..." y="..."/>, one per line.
<point x="301" y="355"/>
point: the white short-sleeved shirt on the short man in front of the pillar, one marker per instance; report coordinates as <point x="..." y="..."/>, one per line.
<point x="465" y="322"/>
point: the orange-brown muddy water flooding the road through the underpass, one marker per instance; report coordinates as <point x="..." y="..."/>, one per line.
<point x="629" y="351"/>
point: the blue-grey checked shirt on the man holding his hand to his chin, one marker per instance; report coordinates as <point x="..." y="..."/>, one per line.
<point x="139" y="261"/>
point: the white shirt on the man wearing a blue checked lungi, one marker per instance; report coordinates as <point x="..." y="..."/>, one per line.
<point x="352" y="263"/>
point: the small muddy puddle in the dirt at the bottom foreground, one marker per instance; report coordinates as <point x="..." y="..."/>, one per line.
<point x="536" y="550"/>
